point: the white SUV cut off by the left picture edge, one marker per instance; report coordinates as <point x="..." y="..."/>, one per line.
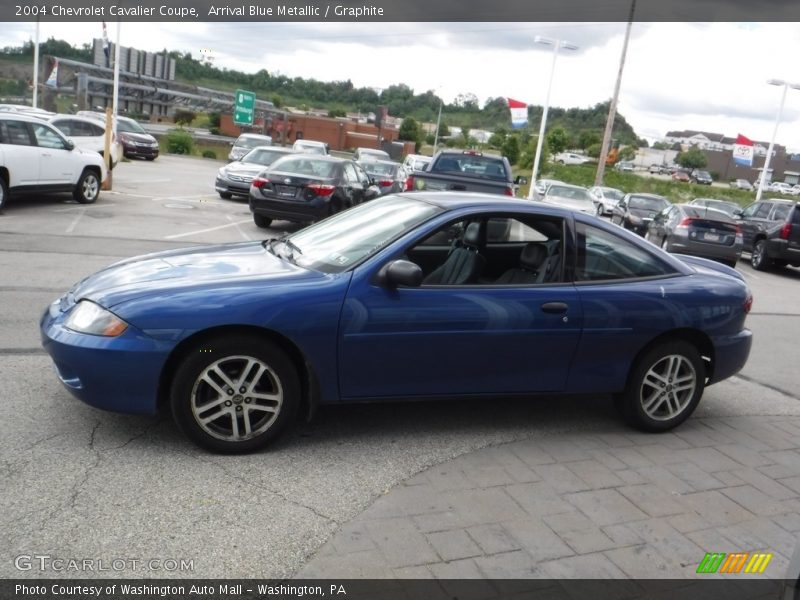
<point x="36" y="157"/>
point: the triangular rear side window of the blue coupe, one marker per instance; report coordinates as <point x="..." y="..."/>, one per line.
<point x="604" y="256"/>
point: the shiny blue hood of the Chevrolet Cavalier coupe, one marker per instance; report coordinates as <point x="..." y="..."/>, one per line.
<point x="203" y="267"/>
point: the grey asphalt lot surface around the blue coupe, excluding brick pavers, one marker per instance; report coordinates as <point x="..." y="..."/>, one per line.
<point x="86" y="484"/>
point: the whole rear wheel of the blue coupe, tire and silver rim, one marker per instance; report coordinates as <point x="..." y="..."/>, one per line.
<point x="664" y="387"/>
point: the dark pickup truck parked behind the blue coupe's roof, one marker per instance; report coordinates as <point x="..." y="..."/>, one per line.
<point x="468" y="171"/>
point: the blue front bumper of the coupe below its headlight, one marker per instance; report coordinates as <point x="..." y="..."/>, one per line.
<point x="119" y="374"/>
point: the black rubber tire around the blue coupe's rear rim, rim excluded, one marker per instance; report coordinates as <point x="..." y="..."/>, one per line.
<point x="630" y="404"/>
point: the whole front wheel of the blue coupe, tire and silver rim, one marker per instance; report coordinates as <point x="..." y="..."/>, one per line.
<point x="235" y="394"/>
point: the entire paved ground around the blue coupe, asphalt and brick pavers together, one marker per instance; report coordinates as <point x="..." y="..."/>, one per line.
<point x="540" y="487"/>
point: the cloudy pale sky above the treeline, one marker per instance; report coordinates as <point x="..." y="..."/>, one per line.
<point x="701" y="76"/>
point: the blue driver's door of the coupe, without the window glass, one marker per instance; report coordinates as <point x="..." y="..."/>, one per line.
<point x="440" y="340"/>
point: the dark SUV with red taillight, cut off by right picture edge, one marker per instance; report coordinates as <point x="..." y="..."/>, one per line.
<point x="771" y="232"/>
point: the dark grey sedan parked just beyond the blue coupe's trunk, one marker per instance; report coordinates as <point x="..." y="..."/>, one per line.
<point x="697" y="231"/>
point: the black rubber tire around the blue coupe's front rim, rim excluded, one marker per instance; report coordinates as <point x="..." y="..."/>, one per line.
<point x="200" y="357"/>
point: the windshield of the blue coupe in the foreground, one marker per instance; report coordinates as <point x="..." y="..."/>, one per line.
<point x="339" y="242"/>
